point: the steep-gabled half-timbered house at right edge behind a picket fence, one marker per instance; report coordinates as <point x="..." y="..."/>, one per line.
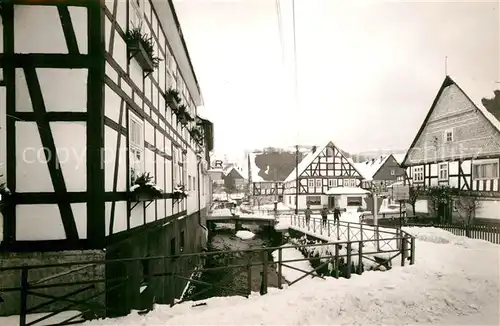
<point x="458" y="145"/>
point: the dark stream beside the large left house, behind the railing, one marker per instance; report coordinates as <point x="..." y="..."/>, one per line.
<point x="234" y="281"/>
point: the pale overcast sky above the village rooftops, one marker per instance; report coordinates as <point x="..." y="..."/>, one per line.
<point x="368" y="71"/>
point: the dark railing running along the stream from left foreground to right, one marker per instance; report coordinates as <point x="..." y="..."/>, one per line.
<point x="99" y="296"/>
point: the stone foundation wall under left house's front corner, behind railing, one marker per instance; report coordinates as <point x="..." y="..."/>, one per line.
<point x="67" y="274"/>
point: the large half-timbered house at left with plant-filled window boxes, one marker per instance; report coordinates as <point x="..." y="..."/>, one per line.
<point x="92" y="91"/>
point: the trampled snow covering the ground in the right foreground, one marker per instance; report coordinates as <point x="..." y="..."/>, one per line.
<point x="449" y="284"/>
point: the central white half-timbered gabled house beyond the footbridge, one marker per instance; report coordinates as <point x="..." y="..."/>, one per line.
<point x="323" y="168"/>
